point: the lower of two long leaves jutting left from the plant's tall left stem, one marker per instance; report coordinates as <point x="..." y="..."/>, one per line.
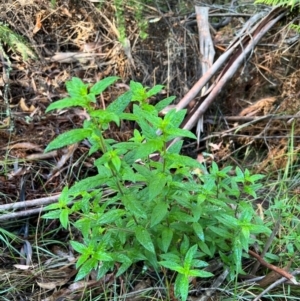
<point x="68" y="138"/>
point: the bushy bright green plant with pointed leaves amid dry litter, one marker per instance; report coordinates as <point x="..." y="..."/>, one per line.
<point x="170" y="213"/>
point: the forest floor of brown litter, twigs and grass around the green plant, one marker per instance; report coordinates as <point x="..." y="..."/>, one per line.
<point x="68" y="39"/>
